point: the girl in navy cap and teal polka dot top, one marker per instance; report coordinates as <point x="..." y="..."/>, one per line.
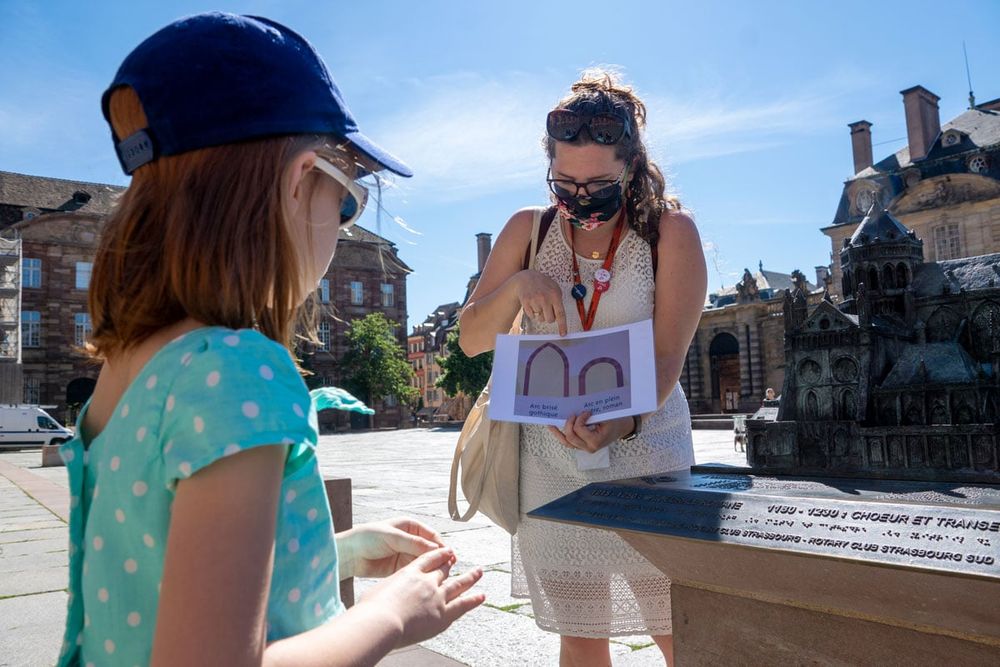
<point x="200" y="532"/>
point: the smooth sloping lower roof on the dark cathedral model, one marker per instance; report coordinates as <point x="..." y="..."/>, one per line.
<point x="932" y="363"/>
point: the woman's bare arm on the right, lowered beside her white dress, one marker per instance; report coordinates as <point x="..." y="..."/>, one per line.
<point x="681" y="283"/>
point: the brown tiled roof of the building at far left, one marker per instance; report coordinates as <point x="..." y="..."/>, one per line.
<point x="56" y="194"/>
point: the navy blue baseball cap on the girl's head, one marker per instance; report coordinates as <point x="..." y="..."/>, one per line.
<point x="219" y="78"/>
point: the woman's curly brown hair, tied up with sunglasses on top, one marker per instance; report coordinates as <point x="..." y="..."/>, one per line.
<point x="601" y="91"/>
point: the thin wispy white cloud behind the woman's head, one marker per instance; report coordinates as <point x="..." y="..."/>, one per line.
<point x="467" y="135"/>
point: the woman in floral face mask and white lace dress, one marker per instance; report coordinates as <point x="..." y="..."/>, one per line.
<point x="620" y="250"/>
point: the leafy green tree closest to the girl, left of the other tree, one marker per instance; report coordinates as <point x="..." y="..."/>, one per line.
<point x="375" y="363"/>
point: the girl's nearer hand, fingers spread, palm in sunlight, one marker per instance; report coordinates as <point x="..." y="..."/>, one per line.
<point x="422" y="599"/>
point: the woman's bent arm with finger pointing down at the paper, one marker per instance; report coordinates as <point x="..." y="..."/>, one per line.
<point x="504" y="287"/>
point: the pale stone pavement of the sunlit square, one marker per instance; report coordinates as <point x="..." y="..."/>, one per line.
<point x="393" y="473"/>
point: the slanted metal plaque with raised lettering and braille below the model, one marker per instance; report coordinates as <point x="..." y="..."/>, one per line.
<point x="930" y="526"/>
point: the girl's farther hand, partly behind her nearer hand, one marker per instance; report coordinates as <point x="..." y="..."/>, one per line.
<point x="383" y="548"/>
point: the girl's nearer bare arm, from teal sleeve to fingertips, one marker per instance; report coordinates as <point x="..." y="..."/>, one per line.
<point x="217" y="574"/>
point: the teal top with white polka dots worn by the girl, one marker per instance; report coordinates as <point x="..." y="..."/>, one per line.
<point x="211" y="393"/>
